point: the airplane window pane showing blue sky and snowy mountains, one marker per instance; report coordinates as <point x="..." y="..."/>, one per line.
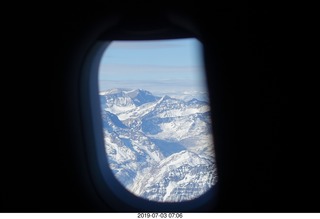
<point x="156" y="118"/>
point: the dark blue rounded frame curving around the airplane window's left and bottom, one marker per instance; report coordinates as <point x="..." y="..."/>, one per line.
<point x="110" y="190"/>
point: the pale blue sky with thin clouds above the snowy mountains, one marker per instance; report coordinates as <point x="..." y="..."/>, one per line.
<point x="160" y="66"/>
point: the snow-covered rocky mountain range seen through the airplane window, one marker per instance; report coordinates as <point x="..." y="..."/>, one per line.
<point x="159" y="148"/>
